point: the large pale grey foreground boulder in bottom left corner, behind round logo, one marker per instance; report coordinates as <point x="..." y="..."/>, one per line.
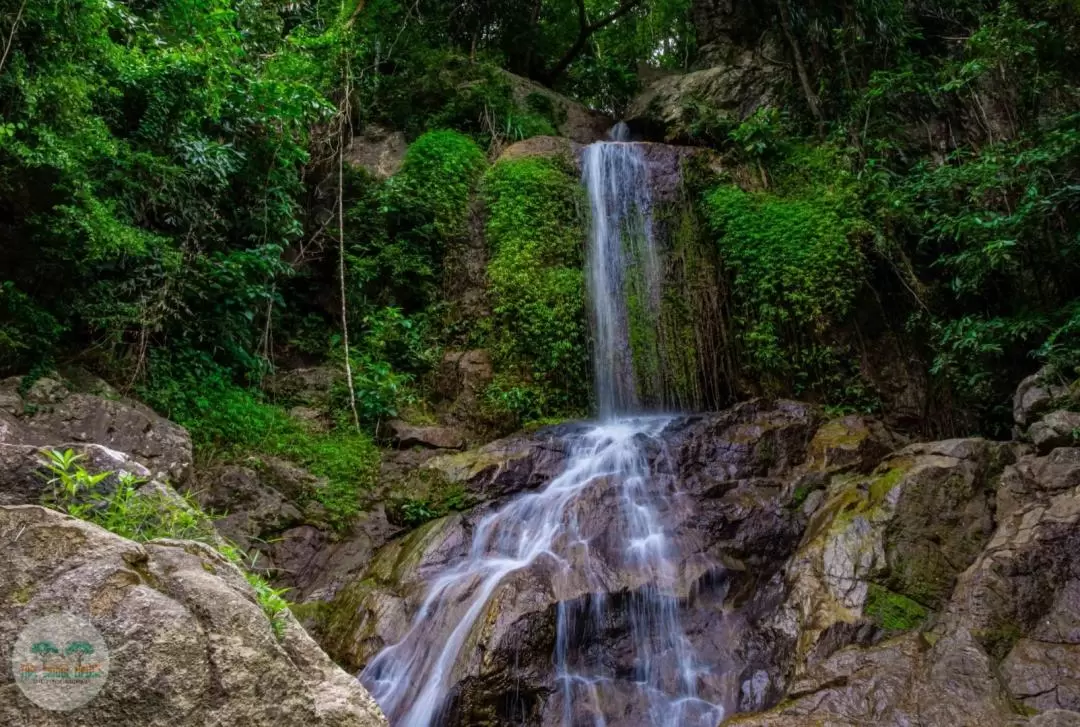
<point x="188" y="642"/>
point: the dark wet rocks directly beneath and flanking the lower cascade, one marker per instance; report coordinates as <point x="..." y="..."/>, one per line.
<point x="732" y="511"/>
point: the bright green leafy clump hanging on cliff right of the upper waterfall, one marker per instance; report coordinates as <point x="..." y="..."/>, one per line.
<point x="796" y="267"/>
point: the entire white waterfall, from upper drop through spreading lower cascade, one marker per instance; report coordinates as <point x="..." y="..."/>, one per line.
<point x="546" y="531"/>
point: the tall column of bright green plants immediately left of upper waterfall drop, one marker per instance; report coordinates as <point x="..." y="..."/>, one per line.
<point x="537" y="289"/>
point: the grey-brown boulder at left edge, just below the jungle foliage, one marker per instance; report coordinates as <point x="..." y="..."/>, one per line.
<point x="50" y="414"/>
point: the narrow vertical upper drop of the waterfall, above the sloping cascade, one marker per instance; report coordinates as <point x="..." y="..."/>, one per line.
<point x="623" y="265"/>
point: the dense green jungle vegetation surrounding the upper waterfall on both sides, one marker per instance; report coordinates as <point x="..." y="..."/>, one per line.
<point x="178" y="217"/>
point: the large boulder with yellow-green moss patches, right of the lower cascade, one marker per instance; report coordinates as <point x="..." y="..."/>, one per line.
<point x="895" y="540"/>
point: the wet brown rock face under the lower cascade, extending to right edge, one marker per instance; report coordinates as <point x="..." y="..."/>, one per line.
<point x="831" y="574"/>
